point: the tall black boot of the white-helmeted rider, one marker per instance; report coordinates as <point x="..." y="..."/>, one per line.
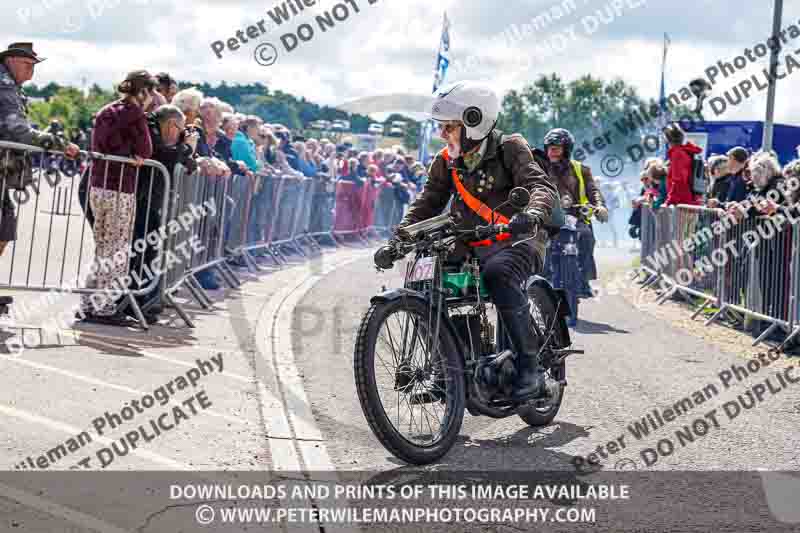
<point x="530" y="375"/>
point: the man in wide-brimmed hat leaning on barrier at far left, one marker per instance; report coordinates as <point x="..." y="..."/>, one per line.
<point x="16" y="67"/>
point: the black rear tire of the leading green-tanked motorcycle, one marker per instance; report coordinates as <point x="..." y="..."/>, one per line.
<point x="543" y="313"/>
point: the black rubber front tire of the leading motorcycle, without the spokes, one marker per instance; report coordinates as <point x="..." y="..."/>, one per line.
<point x="453" y="396"/>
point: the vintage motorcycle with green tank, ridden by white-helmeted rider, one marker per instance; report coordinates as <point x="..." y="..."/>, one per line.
<point x="428" y="351"/>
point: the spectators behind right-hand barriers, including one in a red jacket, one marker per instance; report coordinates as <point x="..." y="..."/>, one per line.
<point x="756" y="196"/>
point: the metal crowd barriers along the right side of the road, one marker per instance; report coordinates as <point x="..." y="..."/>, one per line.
<point x="748" y="268"/>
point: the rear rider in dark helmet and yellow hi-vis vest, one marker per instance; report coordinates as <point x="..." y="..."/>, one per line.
<point x="575" y="181"/>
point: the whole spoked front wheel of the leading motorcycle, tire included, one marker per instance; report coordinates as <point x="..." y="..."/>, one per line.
<point x="410" y="384"/>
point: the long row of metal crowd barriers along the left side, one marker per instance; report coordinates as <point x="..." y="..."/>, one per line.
<point x="235" y="219"/>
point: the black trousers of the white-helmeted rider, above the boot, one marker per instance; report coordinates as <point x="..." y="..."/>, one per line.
<point x="505" y="271"/>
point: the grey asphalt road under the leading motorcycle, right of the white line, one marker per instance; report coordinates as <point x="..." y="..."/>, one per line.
<point x="632" y="365"/>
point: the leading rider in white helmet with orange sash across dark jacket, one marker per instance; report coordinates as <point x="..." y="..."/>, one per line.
<point x="478" y="168"/>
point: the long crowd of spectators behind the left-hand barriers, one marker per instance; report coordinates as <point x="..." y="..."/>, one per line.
<point x="153" y="119"/>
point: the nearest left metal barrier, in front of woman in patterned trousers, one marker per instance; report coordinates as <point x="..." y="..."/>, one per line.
<point x="54" y="249"/>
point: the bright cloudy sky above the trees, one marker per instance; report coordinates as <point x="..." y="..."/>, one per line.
<point x="389" y="46"/>
